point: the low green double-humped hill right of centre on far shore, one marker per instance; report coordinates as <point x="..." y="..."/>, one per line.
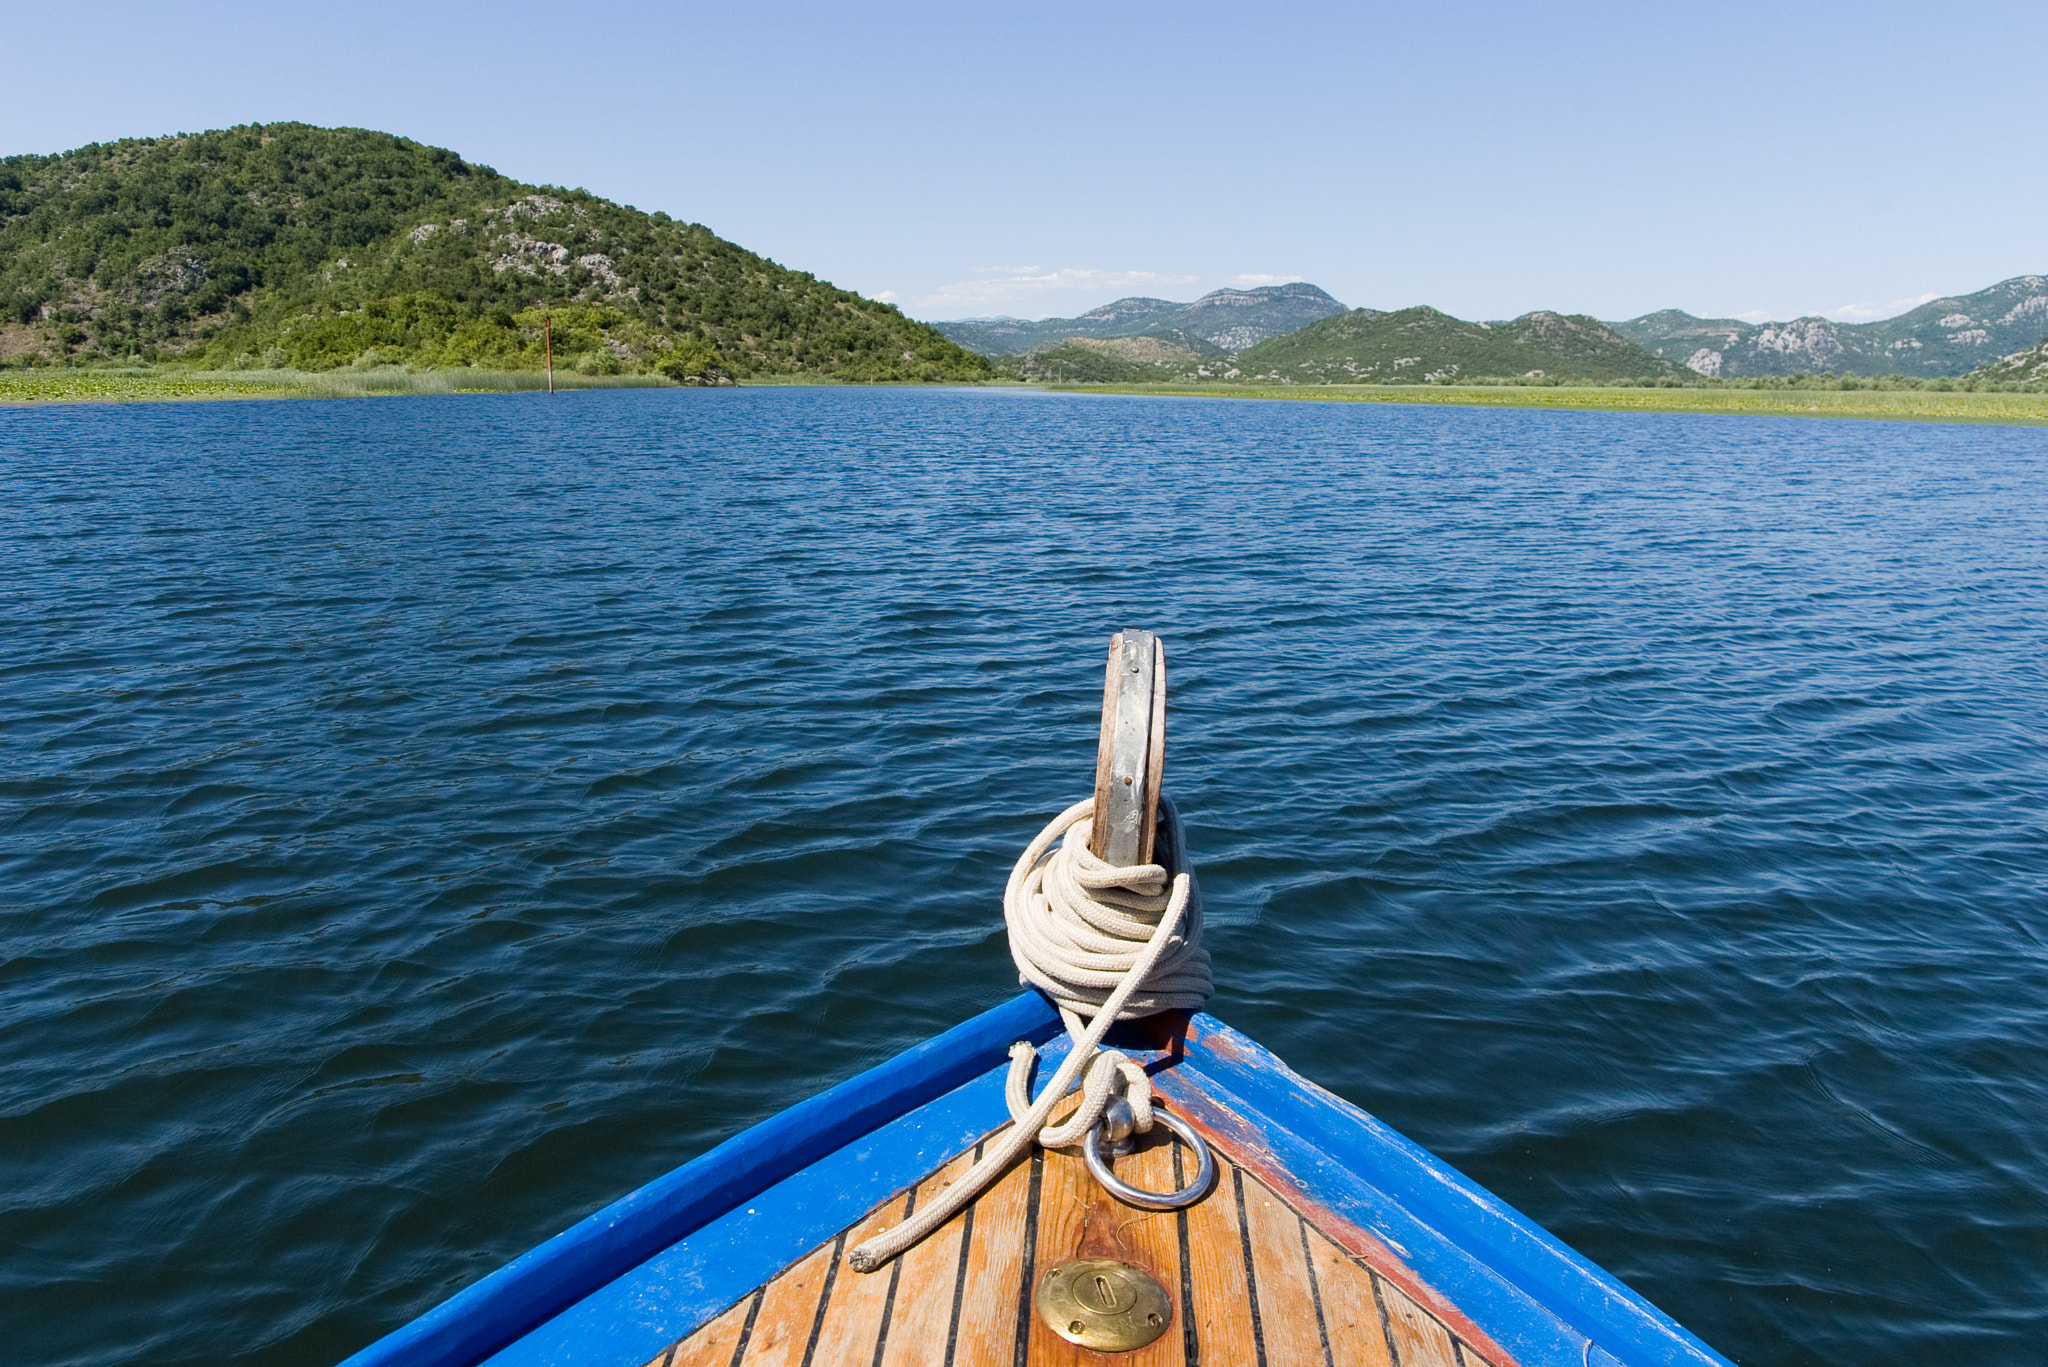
<point x="1428" y="347"/>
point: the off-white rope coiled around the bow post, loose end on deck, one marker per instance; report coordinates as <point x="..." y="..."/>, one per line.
<point x="1099" y="940"/>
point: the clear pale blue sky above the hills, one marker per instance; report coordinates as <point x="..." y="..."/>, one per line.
<point x="1043" y="159"/>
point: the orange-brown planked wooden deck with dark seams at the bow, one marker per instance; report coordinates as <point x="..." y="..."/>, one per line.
<point x="1252" y="1278"/>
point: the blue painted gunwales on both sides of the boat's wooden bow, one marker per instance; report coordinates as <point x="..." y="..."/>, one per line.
<point x="749" y="1208"/>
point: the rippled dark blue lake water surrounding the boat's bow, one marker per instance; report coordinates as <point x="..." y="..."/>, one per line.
<point x="423" y="821"/>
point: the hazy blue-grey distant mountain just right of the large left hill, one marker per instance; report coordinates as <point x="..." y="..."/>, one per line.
<point x="1226" y="321"/>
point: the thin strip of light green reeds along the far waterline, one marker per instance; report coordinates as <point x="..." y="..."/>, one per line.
<point x="1801" y="397"/>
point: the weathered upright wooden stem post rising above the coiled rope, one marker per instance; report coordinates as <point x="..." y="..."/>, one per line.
<point x="1132" y="755"/>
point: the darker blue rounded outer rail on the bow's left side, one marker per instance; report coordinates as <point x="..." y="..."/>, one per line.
<point x="542" y="1284"/>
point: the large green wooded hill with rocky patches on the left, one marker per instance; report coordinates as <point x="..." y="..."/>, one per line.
<point x="290" y="245"/>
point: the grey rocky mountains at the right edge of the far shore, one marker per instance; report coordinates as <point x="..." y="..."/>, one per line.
<point x="1949" y="337"/>
